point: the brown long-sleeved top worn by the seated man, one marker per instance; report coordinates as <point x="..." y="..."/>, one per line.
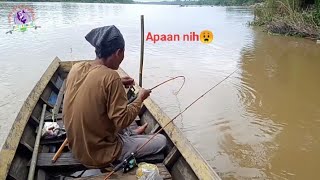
<point x="95" y="109"/>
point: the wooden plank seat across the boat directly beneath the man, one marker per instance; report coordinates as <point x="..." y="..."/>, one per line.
<point x="67" y="159"/>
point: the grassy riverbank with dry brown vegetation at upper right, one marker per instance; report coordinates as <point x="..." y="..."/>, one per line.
<point x="288" y="19"/>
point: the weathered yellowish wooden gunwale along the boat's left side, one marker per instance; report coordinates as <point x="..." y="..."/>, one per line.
<point x="10" y="146"/>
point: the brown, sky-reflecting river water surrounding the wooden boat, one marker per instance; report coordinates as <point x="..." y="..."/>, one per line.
<point x="261" y="123"/>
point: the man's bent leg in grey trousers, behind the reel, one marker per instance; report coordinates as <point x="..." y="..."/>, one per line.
<point x="132" y="143"/>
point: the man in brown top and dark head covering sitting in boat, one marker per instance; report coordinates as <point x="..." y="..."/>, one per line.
<point x="96" y="109"/>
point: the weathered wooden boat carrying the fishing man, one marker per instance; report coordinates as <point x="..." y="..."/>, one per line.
<point x="180" y="160"/>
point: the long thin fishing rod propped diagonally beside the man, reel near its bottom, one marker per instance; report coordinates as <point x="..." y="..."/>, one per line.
<point x="126" y="160"/>
